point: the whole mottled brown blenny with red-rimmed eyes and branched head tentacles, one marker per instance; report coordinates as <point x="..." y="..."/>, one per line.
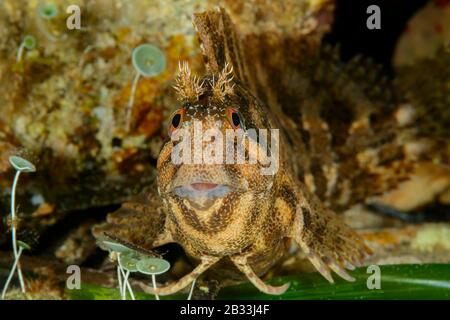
<point x="343" y="142"/>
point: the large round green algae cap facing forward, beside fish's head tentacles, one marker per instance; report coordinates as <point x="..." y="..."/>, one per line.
<point x="148" y="60"/>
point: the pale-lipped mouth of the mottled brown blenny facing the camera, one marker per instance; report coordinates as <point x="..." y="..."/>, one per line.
<point x="202" y="194"/>
